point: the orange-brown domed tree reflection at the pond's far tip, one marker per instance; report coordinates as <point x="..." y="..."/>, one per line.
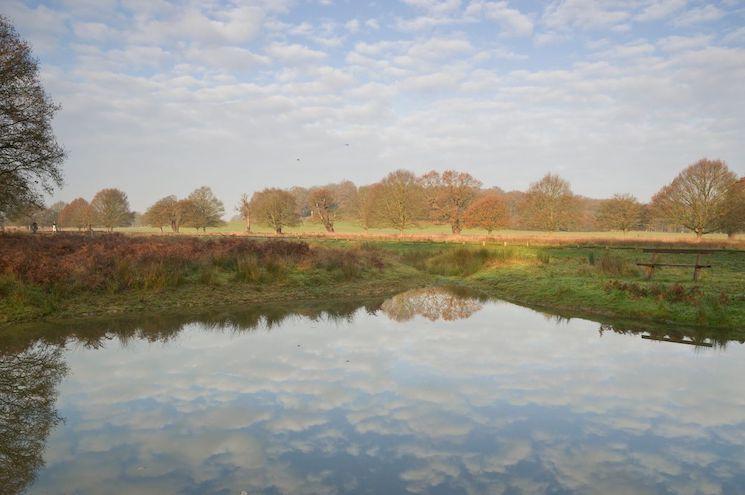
<point x="433" y="303"/>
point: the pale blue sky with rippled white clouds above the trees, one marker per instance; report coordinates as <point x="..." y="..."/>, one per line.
<point x="160" y="97"/>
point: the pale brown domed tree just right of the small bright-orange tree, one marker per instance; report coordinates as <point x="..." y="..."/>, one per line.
<point x="550" y="204"/>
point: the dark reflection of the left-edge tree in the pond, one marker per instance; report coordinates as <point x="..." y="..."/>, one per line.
<point x="28" y="391"/>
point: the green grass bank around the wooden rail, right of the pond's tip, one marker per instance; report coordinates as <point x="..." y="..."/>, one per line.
<point x="594" y="282"/>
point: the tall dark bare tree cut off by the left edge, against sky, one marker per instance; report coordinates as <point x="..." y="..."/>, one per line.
<point x="30" y="157"/>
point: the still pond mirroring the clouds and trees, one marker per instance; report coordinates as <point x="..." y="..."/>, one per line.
<point x="430" y="391"/>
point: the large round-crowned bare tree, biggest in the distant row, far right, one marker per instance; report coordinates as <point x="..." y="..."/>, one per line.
<point x="697" y="198"/>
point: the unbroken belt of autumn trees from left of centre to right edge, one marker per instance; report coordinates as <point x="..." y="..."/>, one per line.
<point x="705" y="197"/>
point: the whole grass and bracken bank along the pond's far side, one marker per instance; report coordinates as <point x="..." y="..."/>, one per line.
<point x="69" y="276"/>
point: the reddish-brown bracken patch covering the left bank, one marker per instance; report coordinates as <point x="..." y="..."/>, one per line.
<point x="118" y="262"/>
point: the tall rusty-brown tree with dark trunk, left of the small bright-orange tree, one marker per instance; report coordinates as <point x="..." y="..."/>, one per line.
<point x="449" y="194"/>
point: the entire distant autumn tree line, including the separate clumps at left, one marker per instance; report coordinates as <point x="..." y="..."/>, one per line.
<point x="705" y="197"/>
